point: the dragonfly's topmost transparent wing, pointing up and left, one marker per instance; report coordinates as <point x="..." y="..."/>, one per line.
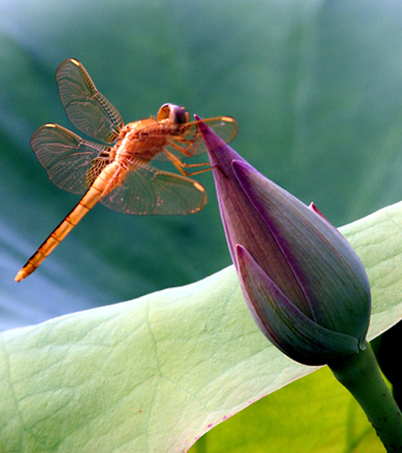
<point x="86" y="108"/>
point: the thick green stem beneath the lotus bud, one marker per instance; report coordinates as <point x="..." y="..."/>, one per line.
<point x="360" y="375"/>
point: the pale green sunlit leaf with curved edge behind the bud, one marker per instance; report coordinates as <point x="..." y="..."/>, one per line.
<point x="155" y="373"/>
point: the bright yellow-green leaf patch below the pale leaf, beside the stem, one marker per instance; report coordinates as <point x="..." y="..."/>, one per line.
<point x="313" y="414"/>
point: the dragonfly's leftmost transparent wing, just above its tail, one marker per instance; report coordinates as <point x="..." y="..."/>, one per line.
<point x="67" y="158"/>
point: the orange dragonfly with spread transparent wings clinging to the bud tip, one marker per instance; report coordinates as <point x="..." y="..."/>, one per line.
<point x="118" y="172"/>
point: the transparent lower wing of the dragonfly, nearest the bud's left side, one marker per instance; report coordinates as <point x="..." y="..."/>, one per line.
<point x="148" y="191"/>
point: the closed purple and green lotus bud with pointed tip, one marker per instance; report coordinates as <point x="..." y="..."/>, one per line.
<point x="303" y="283"/>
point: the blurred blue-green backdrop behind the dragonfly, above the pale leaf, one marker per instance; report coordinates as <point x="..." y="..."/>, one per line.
<point x="316" y="88"/>
